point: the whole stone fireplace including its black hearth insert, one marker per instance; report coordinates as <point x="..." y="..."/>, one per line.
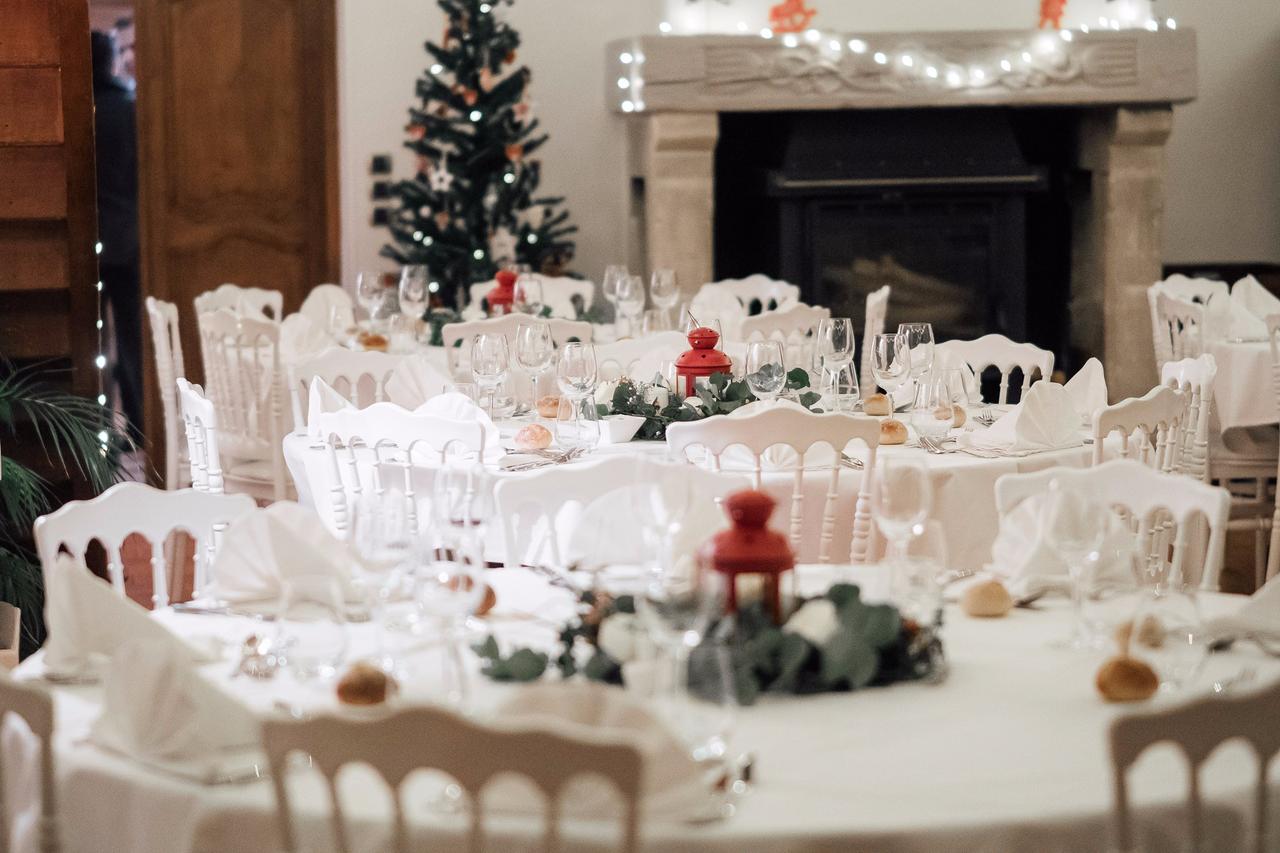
<point x="1105" y="98"/>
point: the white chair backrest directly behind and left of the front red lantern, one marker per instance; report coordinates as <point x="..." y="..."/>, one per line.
<point x="531" y="507"/>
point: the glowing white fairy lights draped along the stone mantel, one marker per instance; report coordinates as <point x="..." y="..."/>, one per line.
<point x="1045" y="51"/>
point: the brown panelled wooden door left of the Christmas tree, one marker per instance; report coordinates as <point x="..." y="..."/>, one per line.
<point x="237" y="145"/>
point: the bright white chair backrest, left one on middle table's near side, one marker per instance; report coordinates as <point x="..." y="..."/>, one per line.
<point x="397" y="437"/>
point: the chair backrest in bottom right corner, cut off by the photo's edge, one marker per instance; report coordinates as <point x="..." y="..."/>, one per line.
<point x="1199" y="728"/>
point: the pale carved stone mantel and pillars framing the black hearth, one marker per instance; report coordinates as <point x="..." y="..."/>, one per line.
<point x="1128" y="80"/>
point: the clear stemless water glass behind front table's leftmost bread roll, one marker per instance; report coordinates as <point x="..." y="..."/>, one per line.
<point x="312" y="627"/>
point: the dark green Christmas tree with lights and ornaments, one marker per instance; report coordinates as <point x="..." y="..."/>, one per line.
<point x="472" y="208"/>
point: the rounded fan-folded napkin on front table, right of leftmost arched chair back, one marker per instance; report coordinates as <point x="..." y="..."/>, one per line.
<point x="269" y="546"/>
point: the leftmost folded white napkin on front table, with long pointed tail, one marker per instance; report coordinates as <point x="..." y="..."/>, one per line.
<point x="89" y="622"/>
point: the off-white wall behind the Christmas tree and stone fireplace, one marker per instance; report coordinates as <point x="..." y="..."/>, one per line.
<point x="1224" y="172"/>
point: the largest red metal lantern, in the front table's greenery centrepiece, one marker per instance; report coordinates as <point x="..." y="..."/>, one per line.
<point x="751" y="549"/>
